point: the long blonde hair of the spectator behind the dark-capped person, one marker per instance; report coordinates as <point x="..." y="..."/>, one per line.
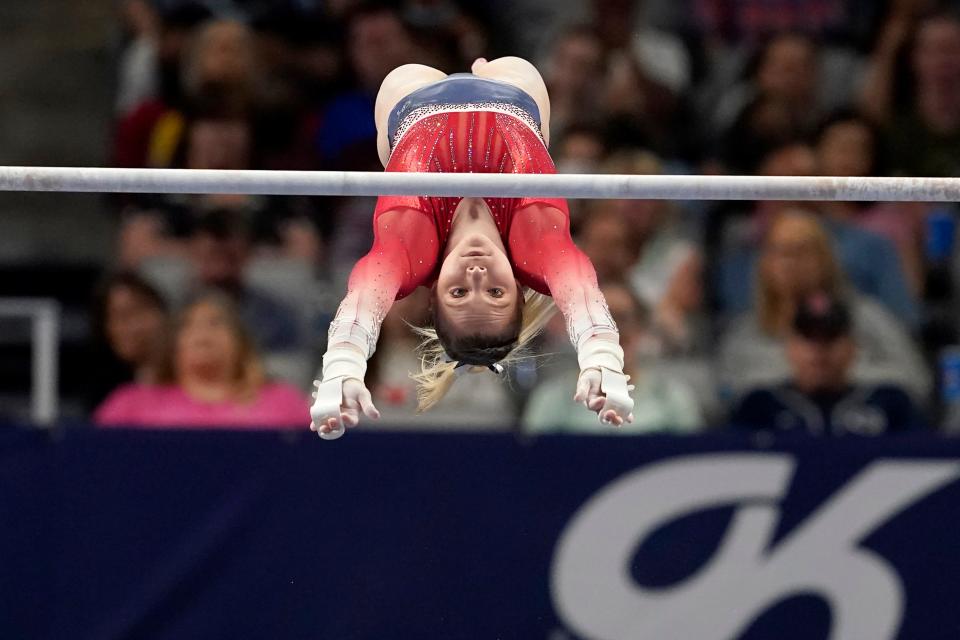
<point x="773" y="308"/>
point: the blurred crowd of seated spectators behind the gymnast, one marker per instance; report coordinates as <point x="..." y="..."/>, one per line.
<point x="826" y="317"/>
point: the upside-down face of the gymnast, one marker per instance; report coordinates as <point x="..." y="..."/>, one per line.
<point x="476" y="289"/>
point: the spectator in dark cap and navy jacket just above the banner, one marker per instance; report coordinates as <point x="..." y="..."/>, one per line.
<point x="820" y="396"/>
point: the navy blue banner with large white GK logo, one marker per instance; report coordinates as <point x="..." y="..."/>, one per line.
<point x="386" y="535"/>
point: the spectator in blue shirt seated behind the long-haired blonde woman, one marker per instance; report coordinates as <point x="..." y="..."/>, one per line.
<point x="869" y="261"/>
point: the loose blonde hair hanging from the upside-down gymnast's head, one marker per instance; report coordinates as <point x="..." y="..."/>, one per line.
<point x="437" y="373"/>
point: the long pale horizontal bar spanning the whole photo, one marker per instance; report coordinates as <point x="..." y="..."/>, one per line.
<point x="359" y="183"/>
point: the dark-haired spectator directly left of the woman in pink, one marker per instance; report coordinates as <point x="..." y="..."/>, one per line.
<point x="130" y="322"/>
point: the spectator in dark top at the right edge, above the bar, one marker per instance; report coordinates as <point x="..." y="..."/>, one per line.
<point x="913" y="90"/>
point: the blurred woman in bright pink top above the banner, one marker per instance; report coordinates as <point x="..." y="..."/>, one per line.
<point x="213" y="379"/>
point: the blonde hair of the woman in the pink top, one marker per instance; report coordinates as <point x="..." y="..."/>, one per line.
<point x="248" y="374"/>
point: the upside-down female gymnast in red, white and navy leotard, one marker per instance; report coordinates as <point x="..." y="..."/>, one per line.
<point x="490" y="263"/>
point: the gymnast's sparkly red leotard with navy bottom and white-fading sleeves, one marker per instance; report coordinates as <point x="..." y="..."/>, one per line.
<point x="448" y="127"/>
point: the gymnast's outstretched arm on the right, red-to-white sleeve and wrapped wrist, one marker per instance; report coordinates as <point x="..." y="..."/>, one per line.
<point x="540" y="241"/>
